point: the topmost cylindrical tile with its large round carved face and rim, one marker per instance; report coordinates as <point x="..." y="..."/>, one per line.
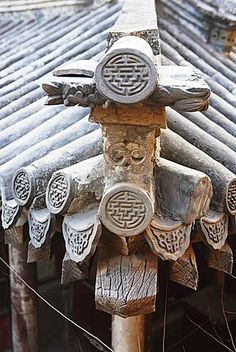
<point x="127" y="73"/>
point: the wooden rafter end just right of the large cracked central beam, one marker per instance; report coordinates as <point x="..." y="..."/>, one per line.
<point x="184" y="271"/>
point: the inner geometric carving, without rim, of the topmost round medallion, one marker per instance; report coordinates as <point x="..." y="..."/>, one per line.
<point x="126" y="74"/>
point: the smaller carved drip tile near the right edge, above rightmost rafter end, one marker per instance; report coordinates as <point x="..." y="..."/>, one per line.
<point x="215" y="229"/>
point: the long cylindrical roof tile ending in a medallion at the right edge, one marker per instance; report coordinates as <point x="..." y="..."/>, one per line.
<point x="175" y="148"/>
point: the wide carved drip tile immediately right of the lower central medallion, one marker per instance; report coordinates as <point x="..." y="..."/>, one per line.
<point x="168" y="241"/>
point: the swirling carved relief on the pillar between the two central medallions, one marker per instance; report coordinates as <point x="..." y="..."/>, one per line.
<point x="127" y="154"/>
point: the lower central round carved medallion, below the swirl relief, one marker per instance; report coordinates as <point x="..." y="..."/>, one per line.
<point x="126" y="210"/>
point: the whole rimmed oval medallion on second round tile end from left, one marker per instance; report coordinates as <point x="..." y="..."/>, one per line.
<point x="57" y="193"/>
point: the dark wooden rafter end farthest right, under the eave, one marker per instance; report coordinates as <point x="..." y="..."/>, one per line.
<point x="221" y="259"/>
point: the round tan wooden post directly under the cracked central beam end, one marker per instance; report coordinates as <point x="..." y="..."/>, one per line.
<point x="128" y="334"/>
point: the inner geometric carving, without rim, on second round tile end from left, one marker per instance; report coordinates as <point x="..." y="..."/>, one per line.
<point x="58" y="191"/>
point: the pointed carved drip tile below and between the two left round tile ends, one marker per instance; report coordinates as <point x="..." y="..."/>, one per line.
<point x="39" y="225"/>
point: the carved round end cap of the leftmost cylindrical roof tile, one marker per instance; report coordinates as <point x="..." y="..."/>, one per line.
<point x="22" y="187"/>
